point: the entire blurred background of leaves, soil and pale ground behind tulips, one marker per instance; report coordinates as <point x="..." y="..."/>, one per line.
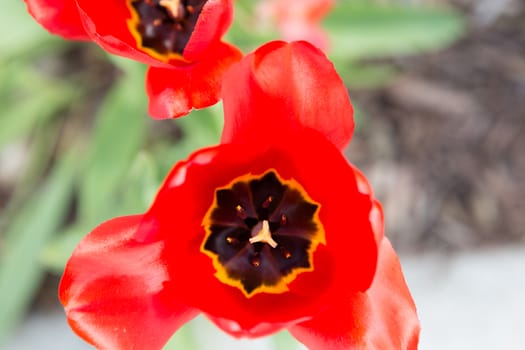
<point x="439" y="91"/>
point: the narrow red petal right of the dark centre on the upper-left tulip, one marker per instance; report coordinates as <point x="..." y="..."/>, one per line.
<point x="214" y="20"/>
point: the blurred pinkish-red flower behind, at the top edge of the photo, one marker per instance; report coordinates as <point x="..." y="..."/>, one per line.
<point x="299" y="19"/>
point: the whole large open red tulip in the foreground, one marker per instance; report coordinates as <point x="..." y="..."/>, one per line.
<point x="272" y="229"/>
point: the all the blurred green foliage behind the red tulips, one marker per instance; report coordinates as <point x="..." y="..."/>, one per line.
<point x="116" y="160"/>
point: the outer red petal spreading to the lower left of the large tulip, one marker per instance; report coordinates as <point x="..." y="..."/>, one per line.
<point x="113" y="290"/>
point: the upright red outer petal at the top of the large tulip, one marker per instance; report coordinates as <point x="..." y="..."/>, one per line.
<point x="282" y="89"/>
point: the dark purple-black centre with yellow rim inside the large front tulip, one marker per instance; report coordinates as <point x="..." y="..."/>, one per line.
<point x="261" y="232"/>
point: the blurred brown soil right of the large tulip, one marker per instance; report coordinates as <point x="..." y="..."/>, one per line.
<point x="443" y="144"/>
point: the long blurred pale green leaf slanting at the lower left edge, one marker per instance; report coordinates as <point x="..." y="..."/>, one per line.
<point x="20" y="271"/>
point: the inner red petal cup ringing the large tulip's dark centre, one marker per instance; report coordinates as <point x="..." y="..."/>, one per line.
<point x="346" y="264"/>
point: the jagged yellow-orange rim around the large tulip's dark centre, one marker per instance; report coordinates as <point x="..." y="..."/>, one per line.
<point x="282" y="286"/>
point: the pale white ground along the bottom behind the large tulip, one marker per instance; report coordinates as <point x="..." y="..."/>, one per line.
<point x="472" y="300"/>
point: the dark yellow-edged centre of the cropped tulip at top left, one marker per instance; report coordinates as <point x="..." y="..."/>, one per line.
<point x="163" y="28"/>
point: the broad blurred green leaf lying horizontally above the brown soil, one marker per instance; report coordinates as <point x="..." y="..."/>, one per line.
<point x="361" y="30"/>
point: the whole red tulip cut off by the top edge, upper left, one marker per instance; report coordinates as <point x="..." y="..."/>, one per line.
<point x="179" y="39"/>
